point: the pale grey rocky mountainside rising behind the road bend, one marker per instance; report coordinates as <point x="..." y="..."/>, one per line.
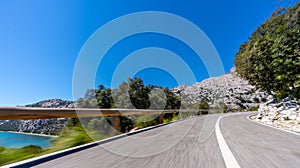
<point x="230" y="89"/>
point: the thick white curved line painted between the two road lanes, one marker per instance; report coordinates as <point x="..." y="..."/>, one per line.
<point x="228" y="157"/>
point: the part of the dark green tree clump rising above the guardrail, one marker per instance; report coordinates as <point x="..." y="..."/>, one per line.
<point x="130" y="95"/>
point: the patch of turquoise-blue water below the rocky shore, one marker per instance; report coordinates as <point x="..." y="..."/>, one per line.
<point x="15" y="140"/>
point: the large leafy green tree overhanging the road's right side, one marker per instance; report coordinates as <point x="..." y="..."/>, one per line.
<point x="270" y="59"/>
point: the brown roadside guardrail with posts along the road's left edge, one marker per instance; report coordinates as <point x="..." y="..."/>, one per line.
<point x="27" y="113"/>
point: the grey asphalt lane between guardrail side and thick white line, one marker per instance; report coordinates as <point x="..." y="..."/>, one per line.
<point x="198" y="148"/>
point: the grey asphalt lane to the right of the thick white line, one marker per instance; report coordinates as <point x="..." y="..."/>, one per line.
<point x="256" y="145"/>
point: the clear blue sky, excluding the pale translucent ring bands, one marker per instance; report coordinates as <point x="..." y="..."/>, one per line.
<point x="40" y="40"/>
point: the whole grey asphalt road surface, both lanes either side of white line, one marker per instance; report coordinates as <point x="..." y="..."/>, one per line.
<point x="193" y="143"/>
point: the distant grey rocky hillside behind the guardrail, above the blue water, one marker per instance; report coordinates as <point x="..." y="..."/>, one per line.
<point x="40" y="126"/>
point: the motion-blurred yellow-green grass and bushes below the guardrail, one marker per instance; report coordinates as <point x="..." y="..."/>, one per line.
<point x="73" y="134"/>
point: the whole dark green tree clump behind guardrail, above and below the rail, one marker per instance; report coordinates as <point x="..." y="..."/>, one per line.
<point x="133" y="94"/>
